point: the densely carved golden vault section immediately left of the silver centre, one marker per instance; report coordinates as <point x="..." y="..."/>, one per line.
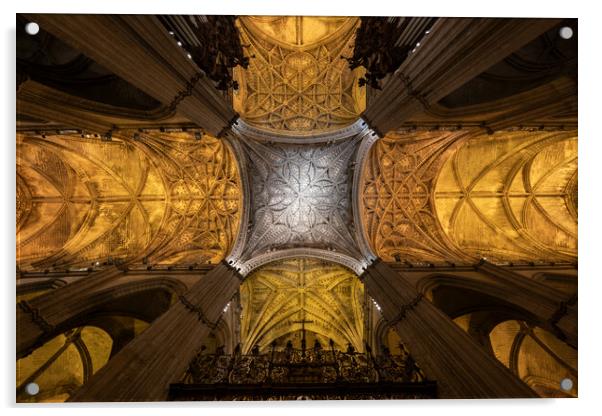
<point x="204" y="197"/>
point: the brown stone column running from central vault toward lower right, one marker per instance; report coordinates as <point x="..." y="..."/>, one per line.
<point x="447" y="354"/>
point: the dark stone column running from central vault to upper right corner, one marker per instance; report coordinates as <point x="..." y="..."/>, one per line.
<point x="455" y="51"/>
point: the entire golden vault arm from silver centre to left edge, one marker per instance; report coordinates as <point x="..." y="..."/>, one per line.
<point x="166" y="197"/>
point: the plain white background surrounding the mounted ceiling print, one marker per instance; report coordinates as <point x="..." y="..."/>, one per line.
<point x="589" y="234"/>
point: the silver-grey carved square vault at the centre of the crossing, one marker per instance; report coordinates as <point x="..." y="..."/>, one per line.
<point x="300" y="197"/>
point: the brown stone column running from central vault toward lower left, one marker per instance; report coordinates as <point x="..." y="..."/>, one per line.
<point x="144" y="369"/>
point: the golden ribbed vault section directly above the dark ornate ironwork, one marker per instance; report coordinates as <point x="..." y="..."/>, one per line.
<point x="281" y="299"/>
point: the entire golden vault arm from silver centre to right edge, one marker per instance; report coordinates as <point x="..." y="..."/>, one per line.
<point x="434" y="196"/>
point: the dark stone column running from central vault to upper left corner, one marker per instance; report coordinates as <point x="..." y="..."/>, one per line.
<point x="139" y="49"/>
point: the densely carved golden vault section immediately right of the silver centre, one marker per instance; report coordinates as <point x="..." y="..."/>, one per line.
<point x="395" y="194"/>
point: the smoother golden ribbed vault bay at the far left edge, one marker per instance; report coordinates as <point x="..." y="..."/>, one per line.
<point x="87" y="201"/>
